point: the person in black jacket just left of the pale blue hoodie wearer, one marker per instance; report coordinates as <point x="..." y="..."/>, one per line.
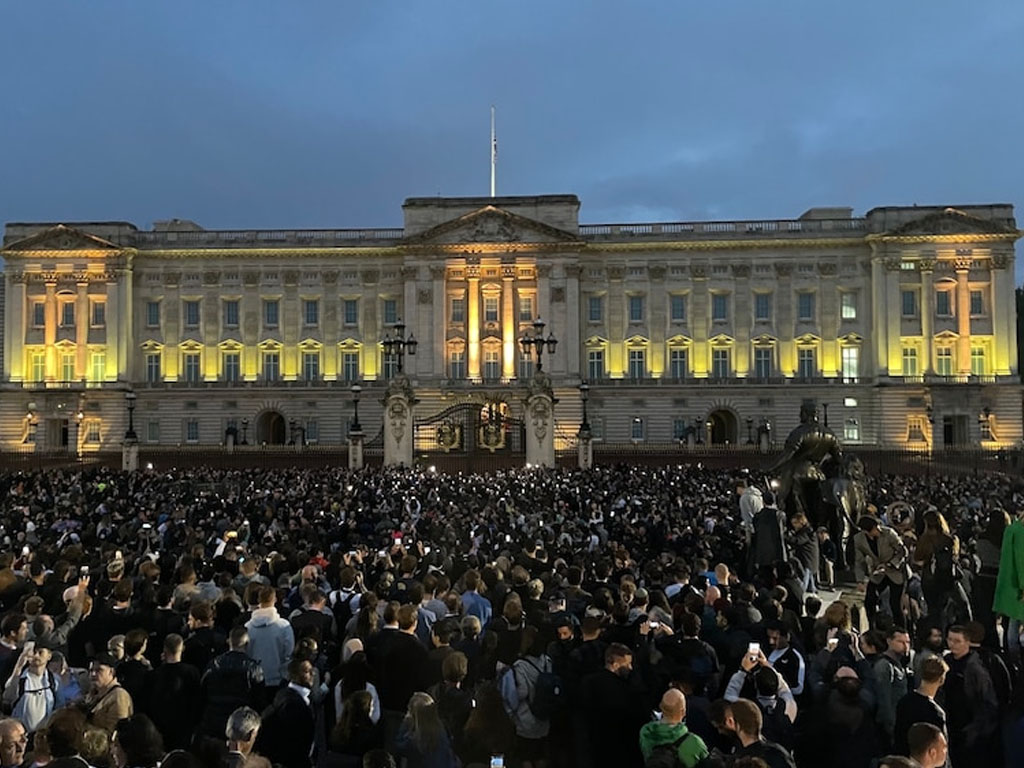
<point x="232" y="680"/>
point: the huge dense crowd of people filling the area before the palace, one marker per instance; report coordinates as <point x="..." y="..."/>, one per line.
<point x="612" y="618"/>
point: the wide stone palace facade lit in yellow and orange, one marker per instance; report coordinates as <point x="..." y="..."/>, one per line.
<point x="900" y="324"/>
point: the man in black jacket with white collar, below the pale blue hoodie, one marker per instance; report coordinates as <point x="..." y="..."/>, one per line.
<point x="289" y="724"/>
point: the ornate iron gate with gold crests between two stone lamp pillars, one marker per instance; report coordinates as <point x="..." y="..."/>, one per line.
<point x="472" y="438"/>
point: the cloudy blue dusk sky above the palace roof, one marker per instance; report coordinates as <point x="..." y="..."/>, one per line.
<point x="329" y="113"/>
